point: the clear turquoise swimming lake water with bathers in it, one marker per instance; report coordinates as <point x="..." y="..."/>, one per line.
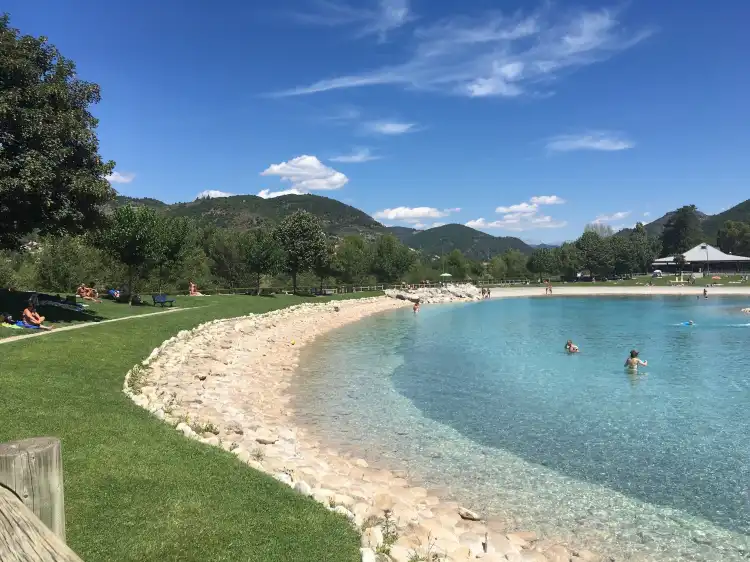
<point x="481" y="397"/>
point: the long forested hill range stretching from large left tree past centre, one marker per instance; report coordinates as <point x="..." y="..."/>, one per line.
<point x="339" y="219"/>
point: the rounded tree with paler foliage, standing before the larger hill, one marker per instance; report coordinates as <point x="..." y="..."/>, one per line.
<point x="302" y="240"/>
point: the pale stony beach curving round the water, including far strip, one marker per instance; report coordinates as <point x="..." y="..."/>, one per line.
<point x="228" y="384"/>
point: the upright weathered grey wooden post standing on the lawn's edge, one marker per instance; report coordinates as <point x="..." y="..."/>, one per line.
<point x="32" y="470"/>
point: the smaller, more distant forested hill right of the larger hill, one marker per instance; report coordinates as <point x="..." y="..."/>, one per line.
<point x="471" y="242"/>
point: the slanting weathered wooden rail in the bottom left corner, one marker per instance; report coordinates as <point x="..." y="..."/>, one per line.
<point x="23" y="538"/>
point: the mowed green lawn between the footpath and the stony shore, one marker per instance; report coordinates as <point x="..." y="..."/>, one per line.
<point x="135" y="489"/>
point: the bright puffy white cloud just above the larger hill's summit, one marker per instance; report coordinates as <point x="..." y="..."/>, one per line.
<point x="304" y="173"/>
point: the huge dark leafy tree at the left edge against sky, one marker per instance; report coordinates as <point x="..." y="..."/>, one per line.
<point x="52" y="178"/>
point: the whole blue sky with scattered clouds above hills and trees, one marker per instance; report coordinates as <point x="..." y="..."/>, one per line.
<point x="519" y="118"/>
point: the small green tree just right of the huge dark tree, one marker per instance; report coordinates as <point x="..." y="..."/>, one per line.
<point x="133" y="238"/>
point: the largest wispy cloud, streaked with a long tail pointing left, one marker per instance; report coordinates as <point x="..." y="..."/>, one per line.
<point x="496" y="55"/>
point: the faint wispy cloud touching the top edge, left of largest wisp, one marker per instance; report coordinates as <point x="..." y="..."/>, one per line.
<point x="379" y="18"/>
